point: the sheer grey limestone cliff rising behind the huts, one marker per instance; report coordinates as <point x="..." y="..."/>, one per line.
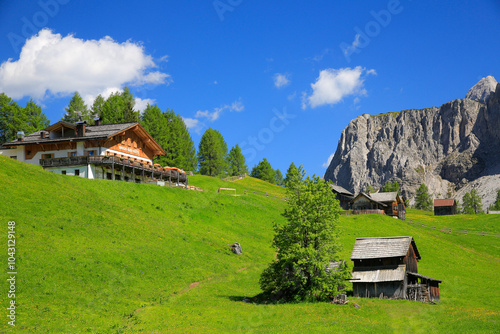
<point x="451" y="148"/>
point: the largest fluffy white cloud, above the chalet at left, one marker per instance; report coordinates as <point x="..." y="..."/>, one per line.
<point x="52" y="65"/>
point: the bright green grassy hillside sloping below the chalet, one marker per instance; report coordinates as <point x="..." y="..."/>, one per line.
<point x="98" y="256"/>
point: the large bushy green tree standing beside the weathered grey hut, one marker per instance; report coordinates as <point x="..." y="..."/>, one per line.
<point x="306" y="244"/>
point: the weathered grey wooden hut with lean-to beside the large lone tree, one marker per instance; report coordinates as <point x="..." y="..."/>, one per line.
<point x="388" y="267"/>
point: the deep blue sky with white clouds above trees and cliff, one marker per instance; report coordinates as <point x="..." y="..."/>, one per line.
<point x="281" y="79"/>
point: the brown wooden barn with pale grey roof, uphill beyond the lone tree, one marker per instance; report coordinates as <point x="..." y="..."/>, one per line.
<point x="390" y="203"/>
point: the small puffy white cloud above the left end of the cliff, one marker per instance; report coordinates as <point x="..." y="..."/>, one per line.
<point x="333" y="85"/>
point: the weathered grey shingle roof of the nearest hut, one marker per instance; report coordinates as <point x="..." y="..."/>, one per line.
<point x="375" y="248"/>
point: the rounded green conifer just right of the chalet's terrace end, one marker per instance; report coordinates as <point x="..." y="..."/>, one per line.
<point x="212" y="153"/>
